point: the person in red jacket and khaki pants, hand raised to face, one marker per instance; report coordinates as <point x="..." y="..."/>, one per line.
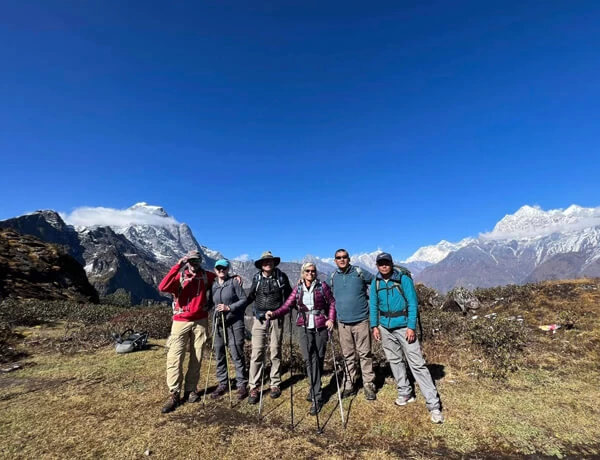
<point x="189" y="283"/>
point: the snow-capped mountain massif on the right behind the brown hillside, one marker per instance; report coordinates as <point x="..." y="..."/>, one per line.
<point x="530" y="245"/>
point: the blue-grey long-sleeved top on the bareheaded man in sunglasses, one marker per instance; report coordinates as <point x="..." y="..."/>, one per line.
<point x="350" y="292"/>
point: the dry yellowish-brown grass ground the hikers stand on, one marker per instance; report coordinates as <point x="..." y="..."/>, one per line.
<point x="103" y="405"/>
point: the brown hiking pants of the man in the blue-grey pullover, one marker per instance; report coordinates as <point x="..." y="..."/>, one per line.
<point x="355" y="341"/>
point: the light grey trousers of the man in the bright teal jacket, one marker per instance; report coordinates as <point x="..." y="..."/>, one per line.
<point x="395" y="347"/>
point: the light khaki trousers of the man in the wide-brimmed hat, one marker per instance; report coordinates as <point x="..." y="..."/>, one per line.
<point x="260" y="335"/>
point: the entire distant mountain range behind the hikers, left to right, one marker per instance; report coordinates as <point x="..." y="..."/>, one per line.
<point x="135" y="253"/>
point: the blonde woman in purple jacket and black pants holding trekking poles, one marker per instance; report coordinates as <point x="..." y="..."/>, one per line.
<point x="316" y="316"/>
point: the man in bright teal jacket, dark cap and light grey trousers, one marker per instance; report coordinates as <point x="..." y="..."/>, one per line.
<point x="393" y="309"/>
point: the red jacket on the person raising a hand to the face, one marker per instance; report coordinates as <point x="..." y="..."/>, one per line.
<point x="190" y="292"/>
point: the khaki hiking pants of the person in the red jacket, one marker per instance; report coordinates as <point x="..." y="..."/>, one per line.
<point x="182" y="333"/>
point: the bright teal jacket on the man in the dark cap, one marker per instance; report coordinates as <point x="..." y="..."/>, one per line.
<point x="387" y="305"/>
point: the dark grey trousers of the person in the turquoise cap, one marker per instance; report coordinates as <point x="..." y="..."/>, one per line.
<point x="235" y="341"/>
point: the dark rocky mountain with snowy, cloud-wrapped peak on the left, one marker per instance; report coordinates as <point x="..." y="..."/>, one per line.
<point x="130" y="249"/>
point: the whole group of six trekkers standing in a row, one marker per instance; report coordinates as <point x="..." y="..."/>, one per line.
<point x="382" y="307"/>
